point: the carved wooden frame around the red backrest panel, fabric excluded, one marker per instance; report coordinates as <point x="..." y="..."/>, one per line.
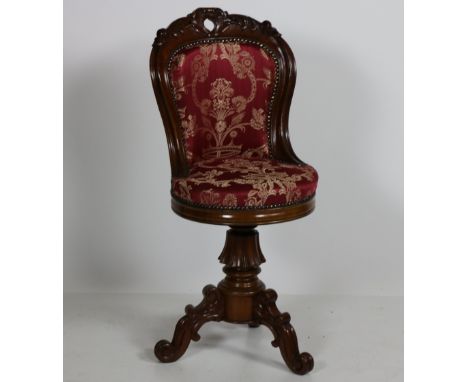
<point x="191" y="29"/>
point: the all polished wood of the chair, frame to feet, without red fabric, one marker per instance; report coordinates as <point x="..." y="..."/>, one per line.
<point x="240" y="297"/>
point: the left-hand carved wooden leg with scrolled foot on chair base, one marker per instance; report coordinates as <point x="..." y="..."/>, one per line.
<point x="210" y="309"/>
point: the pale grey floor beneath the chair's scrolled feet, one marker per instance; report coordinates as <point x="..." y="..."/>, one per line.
<point x="110" y="337"/>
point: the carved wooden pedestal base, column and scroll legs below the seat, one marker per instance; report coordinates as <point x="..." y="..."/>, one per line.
<point x="240" y="298"/>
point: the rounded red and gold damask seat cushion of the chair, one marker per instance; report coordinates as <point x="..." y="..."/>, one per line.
<point x="235" y="183"/>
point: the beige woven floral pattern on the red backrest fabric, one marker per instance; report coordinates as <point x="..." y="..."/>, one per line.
<point x="222" y="115"/>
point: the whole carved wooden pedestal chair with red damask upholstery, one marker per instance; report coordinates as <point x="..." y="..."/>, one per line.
<point x="224" y="94"/>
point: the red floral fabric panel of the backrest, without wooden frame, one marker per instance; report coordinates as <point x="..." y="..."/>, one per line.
<point x="223" y="92"/>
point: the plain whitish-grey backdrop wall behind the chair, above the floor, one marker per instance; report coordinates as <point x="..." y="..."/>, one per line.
<point x="346" y="120"/>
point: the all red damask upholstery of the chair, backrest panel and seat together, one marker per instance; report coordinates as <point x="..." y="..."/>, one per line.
<point x="223" y="92"/>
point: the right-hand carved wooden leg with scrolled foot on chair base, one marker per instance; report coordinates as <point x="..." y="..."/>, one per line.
<point x="266" y="313"/>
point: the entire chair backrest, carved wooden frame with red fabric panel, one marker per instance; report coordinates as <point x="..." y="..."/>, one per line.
<point x="223" y="91"/>
